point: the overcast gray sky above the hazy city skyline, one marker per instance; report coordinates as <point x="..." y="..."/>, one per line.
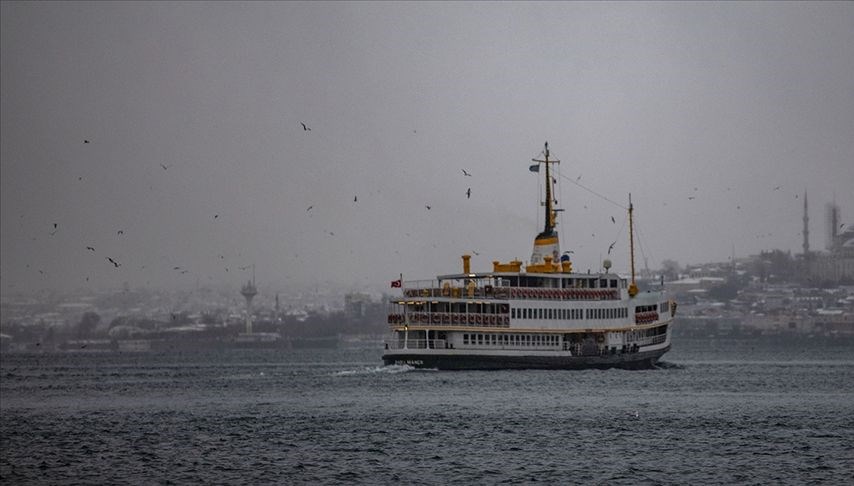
<point x="656" y="99"/>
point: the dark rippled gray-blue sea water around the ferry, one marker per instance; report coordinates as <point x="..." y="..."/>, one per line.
<point x="727" y="412"/>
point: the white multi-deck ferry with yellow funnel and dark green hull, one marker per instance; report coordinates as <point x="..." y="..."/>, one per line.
<point x="544" y="316"/>
